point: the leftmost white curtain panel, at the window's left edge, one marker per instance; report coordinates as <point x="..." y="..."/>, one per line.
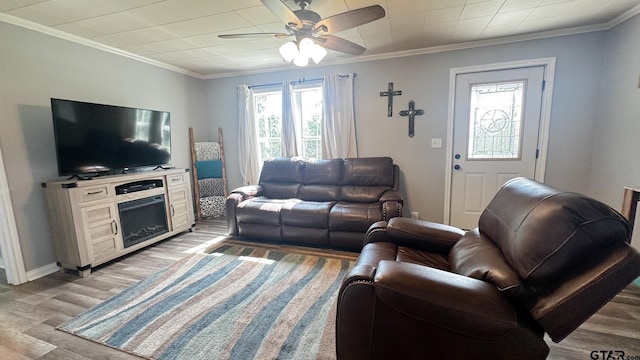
<point x="247" y="137"/>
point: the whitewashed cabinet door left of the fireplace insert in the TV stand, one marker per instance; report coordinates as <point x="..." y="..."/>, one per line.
<point x="101" y="231"/>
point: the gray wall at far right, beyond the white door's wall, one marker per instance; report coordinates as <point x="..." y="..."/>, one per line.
<point x="615" y="156"/>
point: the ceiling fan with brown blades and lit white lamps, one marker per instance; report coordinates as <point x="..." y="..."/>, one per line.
<point x="312" y="32"/>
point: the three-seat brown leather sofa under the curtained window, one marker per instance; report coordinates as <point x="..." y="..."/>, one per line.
<point x="322" y="203"/>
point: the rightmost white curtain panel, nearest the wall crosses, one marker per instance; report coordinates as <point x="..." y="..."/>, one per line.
<point x="339" y="127"/>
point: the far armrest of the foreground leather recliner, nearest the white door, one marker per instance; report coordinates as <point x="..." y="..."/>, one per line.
<point x="417" y="234"/>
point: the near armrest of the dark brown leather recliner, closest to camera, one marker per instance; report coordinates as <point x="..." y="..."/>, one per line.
<point x="447" y="300"/>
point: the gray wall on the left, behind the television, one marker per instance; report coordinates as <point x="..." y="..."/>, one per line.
<point x="35" y="67"/>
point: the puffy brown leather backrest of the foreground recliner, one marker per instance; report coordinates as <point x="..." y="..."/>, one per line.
<point x="542" y="231"/>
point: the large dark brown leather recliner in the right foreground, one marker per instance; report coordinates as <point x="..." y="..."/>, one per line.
<point x="541" y="261"/>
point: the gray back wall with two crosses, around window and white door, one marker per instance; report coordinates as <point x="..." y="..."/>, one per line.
<point x="425" y="79"/>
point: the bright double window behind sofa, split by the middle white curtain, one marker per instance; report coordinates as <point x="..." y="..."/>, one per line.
<point x="307" y="109"/>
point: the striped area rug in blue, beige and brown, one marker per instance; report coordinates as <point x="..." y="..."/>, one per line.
<point x="236" y="303"/>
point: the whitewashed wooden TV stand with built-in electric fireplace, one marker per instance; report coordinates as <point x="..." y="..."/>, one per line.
<point x="85" y="215"/>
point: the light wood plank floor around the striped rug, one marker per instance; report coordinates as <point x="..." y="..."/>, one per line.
<point x="30" y="312"/>
